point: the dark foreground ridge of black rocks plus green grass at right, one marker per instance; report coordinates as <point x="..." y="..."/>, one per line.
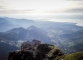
<point x="44" y="52"/>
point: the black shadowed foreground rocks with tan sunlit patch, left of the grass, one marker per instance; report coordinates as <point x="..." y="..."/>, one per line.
<point x="44" y="52"/>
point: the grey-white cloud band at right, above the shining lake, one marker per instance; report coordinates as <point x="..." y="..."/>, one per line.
<point x="73" y="8"/>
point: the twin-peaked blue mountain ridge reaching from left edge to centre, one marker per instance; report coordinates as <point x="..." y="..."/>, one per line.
<point x="25" y="34"/>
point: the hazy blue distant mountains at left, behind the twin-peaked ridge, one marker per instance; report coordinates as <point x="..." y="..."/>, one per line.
<point x="9" y="23"/>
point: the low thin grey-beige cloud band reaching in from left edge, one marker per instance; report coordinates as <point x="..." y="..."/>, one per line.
<point x="5" y="10"/>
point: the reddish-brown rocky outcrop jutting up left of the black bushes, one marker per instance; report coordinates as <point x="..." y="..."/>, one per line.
<point x="30" y="46"/>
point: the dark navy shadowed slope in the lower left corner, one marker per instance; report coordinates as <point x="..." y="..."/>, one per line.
<point x="5" y="48"/>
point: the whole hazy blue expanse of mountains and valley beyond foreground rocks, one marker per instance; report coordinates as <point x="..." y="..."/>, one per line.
<point x="64" y="35"/>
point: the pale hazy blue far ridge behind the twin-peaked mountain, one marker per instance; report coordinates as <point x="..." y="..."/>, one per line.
<point x="21" y="22"/>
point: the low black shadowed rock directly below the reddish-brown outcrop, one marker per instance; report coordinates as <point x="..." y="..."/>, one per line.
<point x="21" y="55"/>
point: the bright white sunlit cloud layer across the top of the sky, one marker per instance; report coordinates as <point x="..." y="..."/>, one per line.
<point x="40" y="6"/>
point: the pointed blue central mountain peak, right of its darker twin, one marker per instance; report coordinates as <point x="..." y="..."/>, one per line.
<point x="37" y="33"/>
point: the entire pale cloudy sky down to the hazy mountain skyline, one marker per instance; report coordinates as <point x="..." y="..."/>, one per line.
<point x="51" y="10"/>
